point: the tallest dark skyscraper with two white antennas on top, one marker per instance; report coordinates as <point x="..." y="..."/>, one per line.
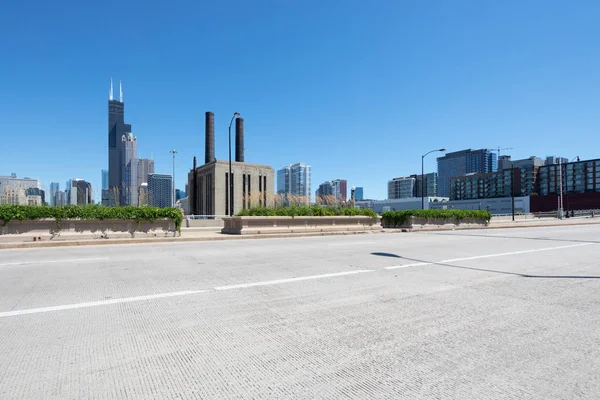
<point x="117" y="130"/>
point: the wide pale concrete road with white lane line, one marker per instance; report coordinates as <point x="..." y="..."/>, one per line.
<point x="481" y="314"/>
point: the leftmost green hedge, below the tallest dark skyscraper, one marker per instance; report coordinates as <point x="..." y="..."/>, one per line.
<point x="10" y="212"/>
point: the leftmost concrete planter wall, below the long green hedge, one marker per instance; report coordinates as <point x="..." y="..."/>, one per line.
<point x="74" y="229"/>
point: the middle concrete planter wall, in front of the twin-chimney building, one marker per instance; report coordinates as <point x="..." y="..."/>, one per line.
<point x="273" y="225"/>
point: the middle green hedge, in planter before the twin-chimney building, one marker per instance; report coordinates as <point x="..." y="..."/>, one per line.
<point x="304" y="211"/>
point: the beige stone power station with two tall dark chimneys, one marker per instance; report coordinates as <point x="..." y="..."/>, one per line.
<point x="209" y="185"/>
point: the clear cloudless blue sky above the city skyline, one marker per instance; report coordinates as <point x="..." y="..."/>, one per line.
<point x="357" y="89"/>
